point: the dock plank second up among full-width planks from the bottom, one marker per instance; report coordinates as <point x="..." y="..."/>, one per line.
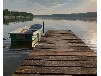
<point x="45" y="63"/>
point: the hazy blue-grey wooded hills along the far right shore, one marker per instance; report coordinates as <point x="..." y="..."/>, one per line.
<point x="72" y="15"/>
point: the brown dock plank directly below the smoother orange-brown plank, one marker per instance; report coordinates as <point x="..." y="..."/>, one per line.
<point x="64" y="58"/>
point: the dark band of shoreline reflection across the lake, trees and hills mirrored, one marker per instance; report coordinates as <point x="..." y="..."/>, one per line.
<point x="16" y="20"/>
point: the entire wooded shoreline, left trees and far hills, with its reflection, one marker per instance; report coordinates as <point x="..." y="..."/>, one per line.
<point x="15" y="16"/>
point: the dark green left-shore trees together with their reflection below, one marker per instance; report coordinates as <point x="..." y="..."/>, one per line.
<point x="15" y="16"/>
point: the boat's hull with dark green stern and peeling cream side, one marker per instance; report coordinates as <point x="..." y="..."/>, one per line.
<point x="28" y="41"/>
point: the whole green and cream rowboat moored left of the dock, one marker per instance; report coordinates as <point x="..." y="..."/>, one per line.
<point x="26" y="37"/>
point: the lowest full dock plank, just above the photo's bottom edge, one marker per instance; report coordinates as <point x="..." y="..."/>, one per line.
<point x="59" y="70"/>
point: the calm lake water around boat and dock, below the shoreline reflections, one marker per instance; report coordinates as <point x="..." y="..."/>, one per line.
<point x="86" y="30"/>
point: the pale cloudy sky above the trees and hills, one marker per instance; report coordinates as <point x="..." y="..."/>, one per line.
<point x="47" y="7"/>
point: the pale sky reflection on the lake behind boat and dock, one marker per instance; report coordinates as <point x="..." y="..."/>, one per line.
<point x="85" y="29"/>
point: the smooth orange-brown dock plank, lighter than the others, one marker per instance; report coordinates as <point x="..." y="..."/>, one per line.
<point x="36" y="52"/>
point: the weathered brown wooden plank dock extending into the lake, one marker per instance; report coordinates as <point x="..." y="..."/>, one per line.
<point x="59" y="53"/>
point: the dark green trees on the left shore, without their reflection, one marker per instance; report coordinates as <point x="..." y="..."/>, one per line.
<point x="8" y="13"/>
